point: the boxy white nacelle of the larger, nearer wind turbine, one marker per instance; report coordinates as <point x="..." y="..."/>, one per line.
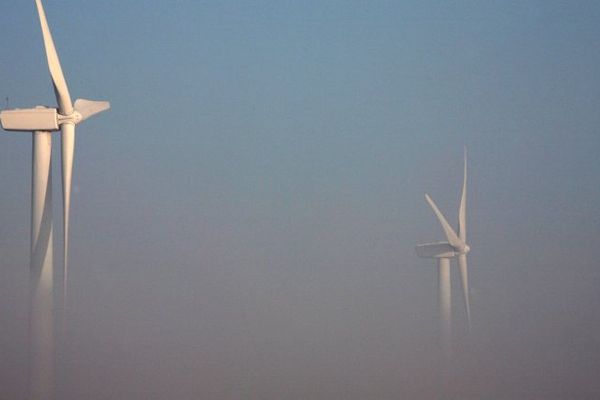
<point x="30" y="119"/>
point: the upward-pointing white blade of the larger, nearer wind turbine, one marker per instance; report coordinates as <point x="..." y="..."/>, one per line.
<point x="61" y="90"/>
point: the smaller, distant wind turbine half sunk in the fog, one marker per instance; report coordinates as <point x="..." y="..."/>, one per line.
<point x="455" y="247"/>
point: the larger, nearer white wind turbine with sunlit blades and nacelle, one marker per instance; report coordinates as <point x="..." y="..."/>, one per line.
<point x="41" y="121"/>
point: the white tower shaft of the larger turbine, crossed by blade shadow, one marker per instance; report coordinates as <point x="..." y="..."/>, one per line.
<point x="41" y="357"/>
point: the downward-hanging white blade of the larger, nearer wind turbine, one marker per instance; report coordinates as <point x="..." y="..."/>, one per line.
<point x="67" y="148"/>
